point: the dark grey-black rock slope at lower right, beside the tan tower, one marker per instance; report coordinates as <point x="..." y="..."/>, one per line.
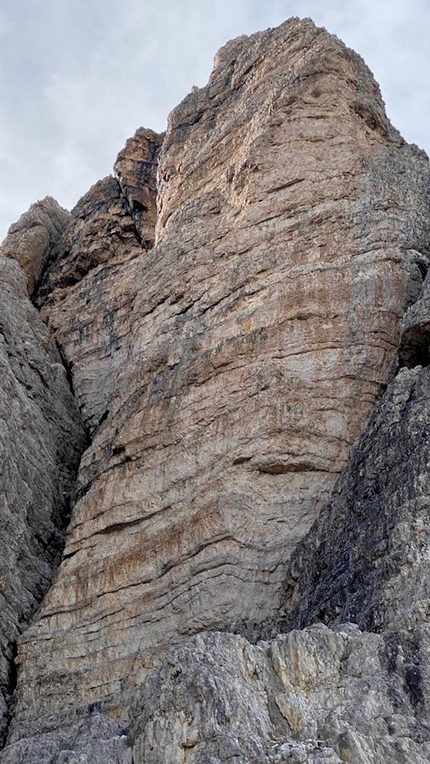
<point x="367" y="556"/>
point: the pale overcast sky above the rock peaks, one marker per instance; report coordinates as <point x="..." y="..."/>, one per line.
<point x="77" y="77"/>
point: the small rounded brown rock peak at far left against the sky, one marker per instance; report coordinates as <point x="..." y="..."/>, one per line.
<point x="32" y="241"/>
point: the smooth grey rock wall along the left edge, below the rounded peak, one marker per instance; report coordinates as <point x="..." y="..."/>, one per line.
<point x="41" y="440"/>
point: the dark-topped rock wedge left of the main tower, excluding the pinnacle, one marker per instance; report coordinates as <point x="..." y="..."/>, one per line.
<point x="86" y="308"/>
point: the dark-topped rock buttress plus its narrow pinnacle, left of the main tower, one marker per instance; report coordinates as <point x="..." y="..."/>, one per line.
<point x="87" y="295"/>
